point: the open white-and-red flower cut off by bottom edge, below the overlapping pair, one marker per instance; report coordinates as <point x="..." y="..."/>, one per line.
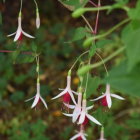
<point x="80" y="135"/>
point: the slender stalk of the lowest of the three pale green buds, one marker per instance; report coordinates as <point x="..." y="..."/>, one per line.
<point x="108" y="58"/>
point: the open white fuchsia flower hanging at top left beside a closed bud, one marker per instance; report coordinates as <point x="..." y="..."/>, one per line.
<point x="18" y="34"/>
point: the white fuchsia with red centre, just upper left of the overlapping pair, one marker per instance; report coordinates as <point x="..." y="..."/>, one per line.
<point x="67" y="93"/>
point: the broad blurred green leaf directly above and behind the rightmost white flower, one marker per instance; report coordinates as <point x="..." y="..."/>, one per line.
<point x="124" y="82"/>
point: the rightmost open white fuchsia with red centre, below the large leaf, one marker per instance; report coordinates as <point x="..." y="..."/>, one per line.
<point x="106" y="97"/>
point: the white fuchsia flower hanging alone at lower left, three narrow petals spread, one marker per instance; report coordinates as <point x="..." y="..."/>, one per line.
<point x="37" y="98"/>
